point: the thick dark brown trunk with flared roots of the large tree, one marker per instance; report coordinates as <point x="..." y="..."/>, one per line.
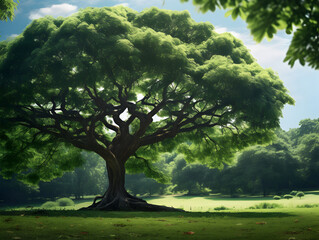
<point x="117" y="198"/>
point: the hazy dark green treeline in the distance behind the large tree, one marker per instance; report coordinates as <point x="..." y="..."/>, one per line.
<point x="290" y="162"/>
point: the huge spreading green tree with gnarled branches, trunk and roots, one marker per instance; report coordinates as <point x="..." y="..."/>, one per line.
<point x="128" y="86"/>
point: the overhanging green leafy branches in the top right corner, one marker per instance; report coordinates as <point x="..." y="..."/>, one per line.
<point x="264" y="18"/>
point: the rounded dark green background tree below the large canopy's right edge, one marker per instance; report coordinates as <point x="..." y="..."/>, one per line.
<point x="271" y="168"/>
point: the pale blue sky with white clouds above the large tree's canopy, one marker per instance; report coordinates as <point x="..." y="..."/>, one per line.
<point x="301" y="82"/>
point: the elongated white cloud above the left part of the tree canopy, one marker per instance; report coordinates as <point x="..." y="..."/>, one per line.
<point x="55" y="10"/>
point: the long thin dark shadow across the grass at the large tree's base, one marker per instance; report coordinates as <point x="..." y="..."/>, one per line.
<point x="128" y="214"/>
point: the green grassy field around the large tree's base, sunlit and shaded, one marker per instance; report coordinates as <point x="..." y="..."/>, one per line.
<point x="286" y="223"/>
